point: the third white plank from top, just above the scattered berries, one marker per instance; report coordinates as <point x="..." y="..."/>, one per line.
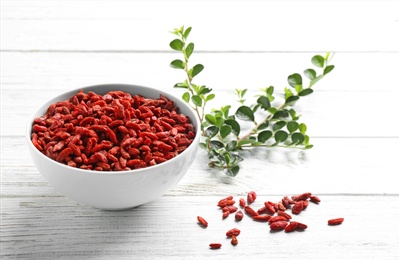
<point x="332" y="166"/>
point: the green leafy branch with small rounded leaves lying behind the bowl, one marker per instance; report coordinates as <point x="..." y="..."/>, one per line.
<point x="279" y="125"/>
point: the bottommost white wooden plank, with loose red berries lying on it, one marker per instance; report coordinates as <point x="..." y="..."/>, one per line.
<point x="43" y="228"/>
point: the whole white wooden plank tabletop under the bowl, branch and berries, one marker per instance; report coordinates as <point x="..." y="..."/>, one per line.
<point x="48" y="47"/>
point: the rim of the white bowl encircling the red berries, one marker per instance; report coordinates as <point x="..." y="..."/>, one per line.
<point x="194" y="120"/>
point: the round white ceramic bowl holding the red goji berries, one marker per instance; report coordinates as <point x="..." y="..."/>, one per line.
<point x="115" y="190"/>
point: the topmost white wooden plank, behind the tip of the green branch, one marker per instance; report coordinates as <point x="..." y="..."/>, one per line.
<point x="218" y="25"/>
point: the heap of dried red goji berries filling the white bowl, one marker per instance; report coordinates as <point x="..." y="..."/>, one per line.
<point x="112" y="132"/>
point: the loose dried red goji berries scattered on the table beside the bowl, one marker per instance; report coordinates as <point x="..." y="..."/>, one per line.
<point x="272" y="212"/>
